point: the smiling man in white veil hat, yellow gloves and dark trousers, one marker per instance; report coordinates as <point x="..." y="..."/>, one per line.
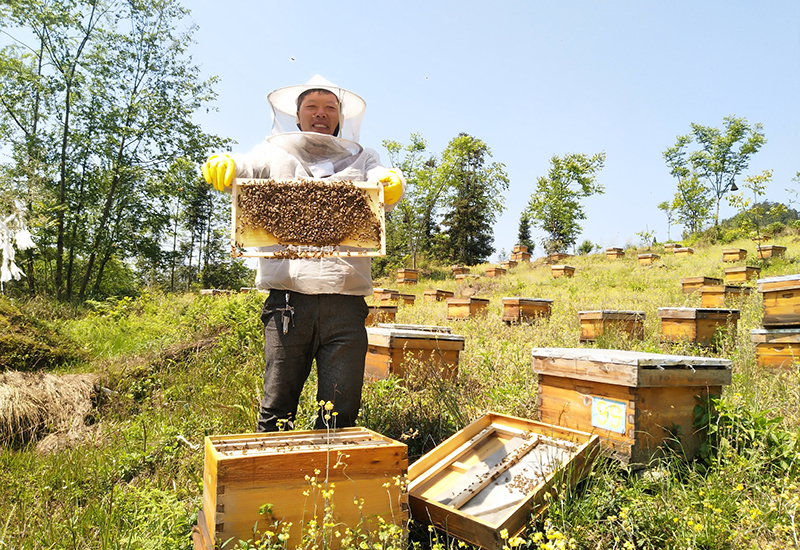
<point x="315" y="308"/>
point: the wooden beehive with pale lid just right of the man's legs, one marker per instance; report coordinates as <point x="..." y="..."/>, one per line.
<point x="389" y="350"/>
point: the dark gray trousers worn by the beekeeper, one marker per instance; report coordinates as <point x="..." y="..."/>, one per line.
<point x="325" y="327"/>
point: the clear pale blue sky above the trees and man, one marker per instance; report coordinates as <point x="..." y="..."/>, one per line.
<point x="531" y="79"/>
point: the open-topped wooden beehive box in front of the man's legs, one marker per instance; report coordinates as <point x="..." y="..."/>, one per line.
<point x="243" y="472"/>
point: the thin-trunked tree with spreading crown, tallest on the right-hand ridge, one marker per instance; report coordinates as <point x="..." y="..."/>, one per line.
<point x="721" y="154"/>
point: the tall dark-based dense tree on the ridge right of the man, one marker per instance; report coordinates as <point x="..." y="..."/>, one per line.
<point x="473" y="199"/>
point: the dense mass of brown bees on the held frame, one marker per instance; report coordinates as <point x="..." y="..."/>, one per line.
<point x="309" y="213"/>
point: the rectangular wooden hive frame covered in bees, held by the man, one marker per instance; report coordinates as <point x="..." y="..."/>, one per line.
<point x="302" y="219"/>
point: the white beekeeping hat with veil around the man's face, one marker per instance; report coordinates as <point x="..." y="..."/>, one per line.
<point x="284" y="107"/>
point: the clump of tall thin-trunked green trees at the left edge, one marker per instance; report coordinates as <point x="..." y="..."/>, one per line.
<point x="110" y="109"/>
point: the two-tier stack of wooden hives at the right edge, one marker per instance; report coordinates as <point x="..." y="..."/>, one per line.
<point x="778" y="342"/>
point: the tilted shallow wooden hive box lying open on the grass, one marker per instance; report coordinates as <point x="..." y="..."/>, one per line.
<point x="492" y="475"/>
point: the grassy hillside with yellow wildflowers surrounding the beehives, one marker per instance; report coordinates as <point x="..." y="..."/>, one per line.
<point x="137" y="483"/>
